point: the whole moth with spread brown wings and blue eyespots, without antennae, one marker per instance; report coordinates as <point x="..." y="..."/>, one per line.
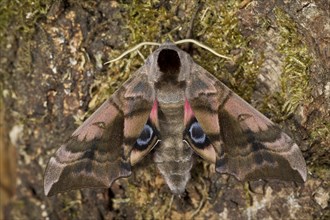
<point x="176" y="110"/>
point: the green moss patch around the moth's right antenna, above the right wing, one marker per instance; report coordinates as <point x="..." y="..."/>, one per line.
<point x="218" y="26"/>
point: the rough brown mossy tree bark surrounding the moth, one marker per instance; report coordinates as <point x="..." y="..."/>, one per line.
<point x="52" y="74"/>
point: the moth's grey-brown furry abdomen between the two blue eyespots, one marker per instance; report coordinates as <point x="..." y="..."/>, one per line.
<point x="173" y="156"/>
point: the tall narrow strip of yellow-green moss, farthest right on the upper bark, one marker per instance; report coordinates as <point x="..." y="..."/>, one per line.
<point x="294" y="79"/>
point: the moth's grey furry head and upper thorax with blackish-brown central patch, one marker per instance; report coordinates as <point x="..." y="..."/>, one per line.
<point x="168" y="62"/>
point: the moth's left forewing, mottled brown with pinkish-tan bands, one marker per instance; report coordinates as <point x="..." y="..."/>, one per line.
<point x="97" y="153"/>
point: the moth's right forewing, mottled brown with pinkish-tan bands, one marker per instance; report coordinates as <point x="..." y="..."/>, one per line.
<point x="248" y="145"/>
